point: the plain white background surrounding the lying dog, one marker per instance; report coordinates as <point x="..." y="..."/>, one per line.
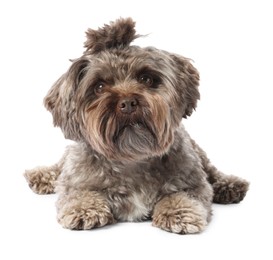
<point x="231" y="44"/>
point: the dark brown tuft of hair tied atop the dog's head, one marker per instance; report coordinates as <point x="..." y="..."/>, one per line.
<point x="117" y="34"/>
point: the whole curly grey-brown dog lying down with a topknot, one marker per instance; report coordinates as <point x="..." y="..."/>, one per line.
<point x="132" y="159"/>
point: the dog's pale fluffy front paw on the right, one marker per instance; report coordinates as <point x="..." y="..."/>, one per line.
<point x="179" y="213"/>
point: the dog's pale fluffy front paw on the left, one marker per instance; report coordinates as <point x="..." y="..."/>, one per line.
<point x="83" y="210"/>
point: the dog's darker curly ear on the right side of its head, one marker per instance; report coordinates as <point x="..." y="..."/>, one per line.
<point x="188" y="82"/>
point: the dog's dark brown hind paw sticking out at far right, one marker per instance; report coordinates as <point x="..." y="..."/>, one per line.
<point x="229" y="190"/>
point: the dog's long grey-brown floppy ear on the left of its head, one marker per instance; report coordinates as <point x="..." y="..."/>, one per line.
<point x="60" y="100"/>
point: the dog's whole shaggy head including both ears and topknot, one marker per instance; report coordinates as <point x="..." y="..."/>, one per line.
<point x="125" y="101"/>
